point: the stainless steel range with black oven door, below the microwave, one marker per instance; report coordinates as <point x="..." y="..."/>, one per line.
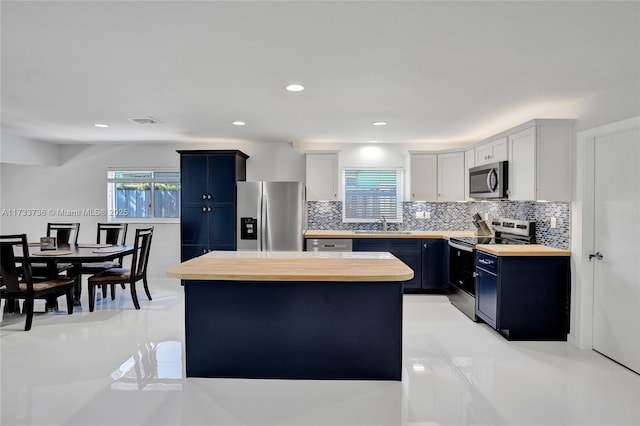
<point x="462" y="254"/>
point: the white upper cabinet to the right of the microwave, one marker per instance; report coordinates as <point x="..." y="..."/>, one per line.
<point x="541" y="162"/>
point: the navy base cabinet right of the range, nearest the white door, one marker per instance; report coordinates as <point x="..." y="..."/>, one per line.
<point x="524" y="297"/>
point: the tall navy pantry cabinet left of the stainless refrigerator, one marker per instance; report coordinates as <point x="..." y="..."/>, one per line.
<point x="208" y="200"/>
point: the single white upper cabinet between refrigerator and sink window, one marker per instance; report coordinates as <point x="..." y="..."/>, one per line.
<point x="322" y="177"/>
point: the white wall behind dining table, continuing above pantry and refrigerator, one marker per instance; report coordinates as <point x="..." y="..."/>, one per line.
<point x="80" y="183"/>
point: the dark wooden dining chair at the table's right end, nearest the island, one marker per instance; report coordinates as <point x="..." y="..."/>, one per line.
<point x="137" y="272"/>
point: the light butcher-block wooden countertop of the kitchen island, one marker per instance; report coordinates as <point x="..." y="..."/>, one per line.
<point x="293" y="266"/>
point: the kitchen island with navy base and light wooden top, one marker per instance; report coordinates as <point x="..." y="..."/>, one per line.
<point x="293" y="315"/>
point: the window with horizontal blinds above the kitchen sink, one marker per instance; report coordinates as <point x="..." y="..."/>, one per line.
<point x="370" y="194"/>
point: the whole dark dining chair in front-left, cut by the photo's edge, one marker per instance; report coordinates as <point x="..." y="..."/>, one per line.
<point x="17" y="282"/>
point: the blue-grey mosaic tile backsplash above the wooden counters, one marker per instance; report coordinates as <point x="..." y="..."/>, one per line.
<point x="456" y="216"/>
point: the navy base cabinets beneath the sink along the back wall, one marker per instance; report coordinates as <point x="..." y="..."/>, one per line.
<point x="424" y="256"/>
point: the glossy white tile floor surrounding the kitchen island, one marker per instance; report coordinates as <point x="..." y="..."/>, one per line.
<point x="118" y="366"/>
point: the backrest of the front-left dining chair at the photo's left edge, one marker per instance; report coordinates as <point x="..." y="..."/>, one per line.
<point x="8" y="264"/>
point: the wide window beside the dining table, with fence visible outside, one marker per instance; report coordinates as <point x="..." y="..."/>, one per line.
<point x="143" y="195"/>
